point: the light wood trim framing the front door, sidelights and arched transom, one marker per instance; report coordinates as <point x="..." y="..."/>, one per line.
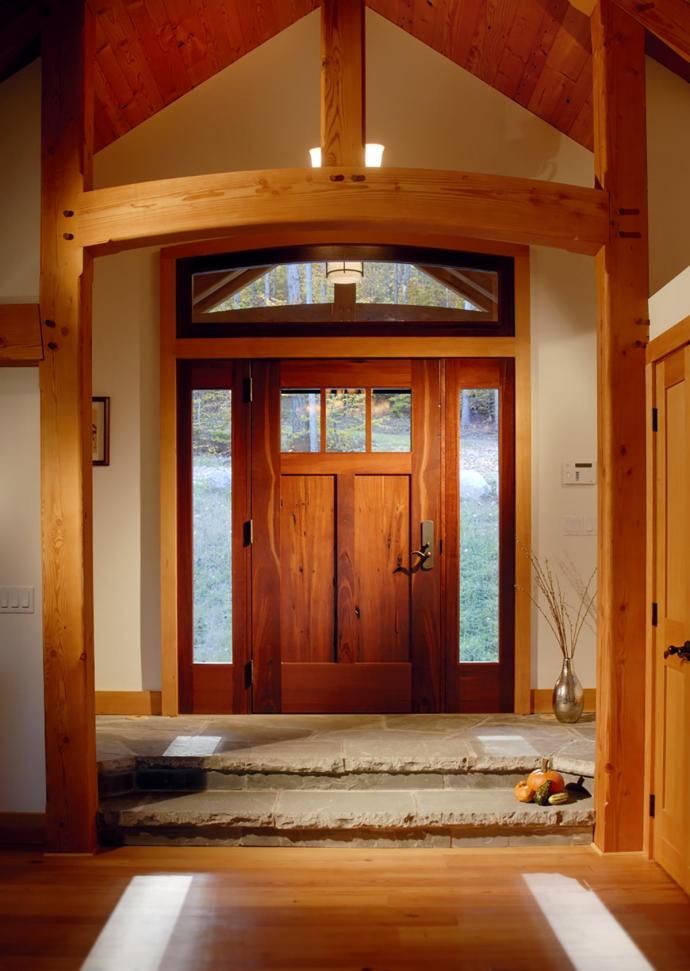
<point x="172" y="350"/>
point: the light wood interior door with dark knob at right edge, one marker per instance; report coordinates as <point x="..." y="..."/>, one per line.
<point x="672" y="644"/>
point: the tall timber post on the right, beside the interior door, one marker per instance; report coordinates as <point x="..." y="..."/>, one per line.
<point x="622" y="267"/>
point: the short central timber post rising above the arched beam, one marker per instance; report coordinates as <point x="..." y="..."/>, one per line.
<point x="342" y="82"/>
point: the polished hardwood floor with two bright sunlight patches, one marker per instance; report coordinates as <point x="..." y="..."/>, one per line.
<point x="144" y="909"/>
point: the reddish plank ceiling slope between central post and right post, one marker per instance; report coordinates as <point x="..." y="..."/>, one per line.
<point x="537" y="52"/>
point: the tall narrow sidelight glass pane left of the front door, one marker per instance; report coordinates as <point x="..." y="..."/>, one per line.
<point x="212" y="526"/>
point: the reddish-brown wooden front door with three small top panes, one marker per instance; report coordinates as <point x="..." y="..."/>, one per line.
<point x="345" y="596"/>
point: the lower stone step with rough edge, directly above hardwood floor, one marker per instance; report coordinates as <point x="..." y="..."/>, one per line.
<point x="319" y="817"/>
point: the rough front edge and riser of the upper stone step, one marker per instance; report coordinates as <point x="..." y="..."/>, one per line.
<point x="237" y="772"/>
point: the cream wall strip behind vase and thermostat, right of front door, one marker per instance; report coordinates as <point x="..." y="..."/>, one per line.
<point x="564" y="417"/>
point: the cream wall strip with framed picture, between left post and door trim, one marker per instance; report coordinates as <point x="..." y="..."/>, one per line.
<point x="125" y="493"/>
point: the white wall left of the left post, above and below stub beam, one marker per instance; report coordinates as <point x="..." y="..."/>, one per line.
<point x="21" y="642"/>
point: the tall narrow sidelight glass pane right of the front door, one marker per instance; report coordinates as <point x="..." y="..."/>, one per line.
<point x="479" y="524"/>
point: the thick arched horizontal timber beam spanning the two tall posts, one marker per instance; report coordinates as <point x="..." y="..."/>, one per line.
<point x="511" y="210"/>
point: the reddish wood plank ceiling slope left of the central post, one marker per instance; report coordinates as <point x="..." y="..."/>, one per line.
<point x="150" y="52"/>
